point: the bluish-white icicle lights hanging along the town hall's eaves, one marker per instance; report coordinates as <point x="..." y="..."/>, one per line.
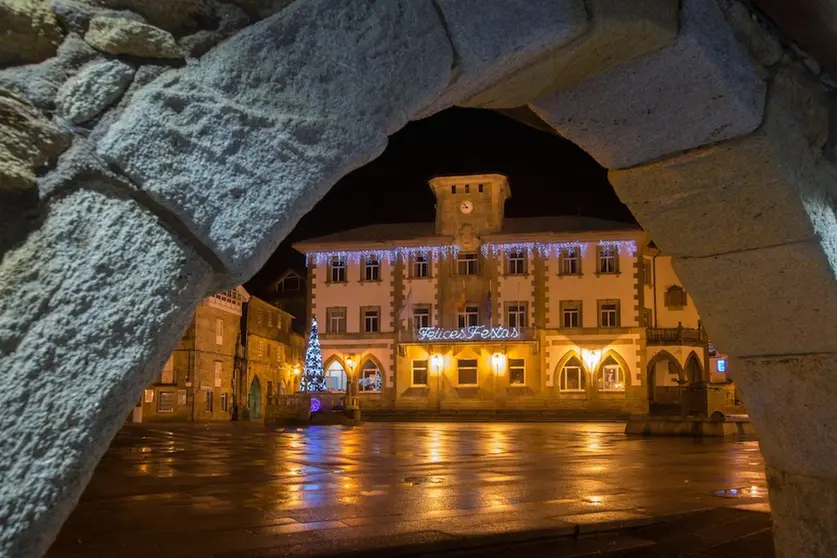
<point x="404" y="253"/>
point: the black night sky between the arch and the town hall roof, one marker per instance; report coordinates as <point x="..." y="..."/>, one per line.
<point x="547" y="175"/>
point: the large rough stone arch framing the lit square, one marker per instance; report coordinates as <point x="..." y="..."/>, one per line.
<point x="187" y="187"/>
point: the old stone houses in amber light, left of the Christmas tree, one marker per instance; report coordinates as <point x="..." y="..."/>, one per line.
<point x="235" y="350"/>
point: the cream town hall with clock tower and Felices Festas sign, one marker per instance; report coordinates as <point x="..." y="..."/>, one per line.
<point x="477" y="312"/>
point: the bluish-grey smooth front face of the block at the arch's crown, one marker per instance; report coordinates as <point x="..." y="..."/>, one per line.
<point x="493" y="38"/>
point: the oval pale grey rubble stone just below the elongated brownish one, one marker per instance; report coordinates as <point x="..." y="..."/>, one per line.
<point x="93" y="89"/>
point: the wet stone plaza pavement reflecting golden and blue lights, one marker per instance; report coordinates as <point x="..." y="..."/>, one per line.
<point x="242" y="490"/>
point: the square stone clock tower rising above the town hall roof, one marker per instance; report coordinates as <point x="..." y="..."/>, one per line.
<point x="468" y="206"/>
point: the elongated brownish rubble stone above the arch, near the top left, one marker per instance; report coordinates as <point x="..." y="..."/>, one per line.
<point x="123" y="36"/>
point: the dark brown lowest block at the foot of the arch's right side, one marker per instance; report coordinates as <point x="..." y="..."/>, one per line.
<point x="801" y="527"/>
